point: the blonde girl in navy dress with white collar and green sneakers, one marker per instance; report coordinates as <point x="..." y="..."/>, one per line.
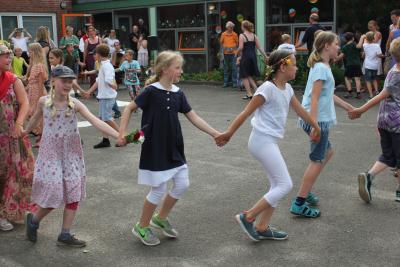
<point x="162" y="157"/>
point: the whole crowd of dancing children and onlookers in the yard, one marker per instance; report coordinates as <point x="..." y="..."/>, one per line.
<point x="57" y="178"/>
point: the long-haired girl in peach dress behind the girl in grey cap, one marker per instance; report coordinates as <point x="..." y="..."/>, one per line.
<point x="37" y="76"/>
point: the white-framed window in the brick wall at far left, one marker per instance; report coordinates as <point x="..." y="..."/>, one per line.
<point x="29" y="21"/>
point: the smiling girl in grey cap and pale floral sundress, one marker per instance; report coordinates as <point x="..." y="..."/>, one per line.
<point x="59" y="177"/>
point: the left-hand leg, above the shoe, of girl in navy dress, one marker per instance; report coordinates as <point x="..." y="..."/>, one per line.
<point x="151" y="202"/>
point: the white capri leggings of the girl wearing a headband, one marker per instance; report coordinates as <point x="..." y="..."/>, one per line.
<point x="266" y="150"/>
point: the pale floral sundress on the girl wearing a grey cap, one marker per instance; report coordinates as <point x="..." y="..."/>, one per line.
<point x="59" y="176"/>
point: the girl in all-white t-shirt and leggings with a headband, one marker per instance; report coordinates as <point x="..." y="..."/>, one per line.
<point x="271" y="105"/>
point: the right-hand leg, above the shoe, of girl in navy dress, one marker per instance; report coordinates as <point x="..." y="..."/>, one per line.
<point x="181" y="184"/>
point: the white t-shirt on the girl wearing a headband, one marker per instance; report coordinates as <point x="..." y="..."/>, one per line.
<point x="270" y="118"/>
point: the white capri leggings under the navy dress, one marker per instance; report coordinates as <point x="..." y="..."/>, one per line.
<point x="181" y="184"/>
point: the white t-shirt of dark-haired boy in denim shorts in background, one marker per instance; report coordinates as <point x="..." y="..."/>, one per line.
<point x="105" y="78"/>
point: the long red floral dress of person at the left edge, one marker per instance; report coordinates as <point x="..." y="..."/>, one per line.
<point x="16" y="163"/>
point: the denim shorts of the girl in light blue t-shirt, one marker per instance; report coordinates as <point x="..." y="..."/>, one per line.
<point x="318" y="150"/>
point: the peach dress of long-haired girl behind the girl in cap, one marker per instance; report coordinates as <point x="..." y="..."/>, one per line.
<point x="36" y="90"/>
